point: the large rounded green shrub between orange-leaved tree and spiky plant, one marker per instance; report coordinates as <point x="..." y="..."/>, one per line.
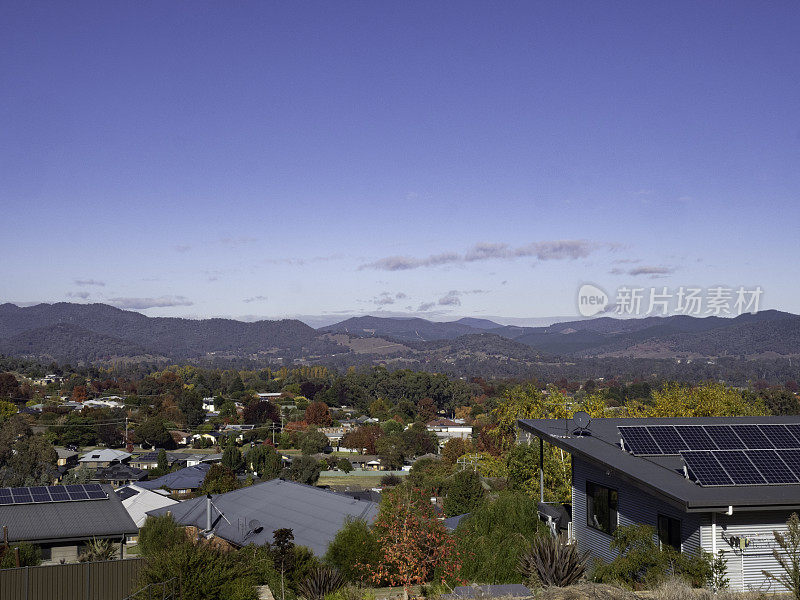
<point x="494" y="536"/>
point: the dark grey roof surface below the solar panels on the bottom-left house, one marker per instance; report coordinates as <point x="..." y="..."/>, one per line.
<point x="77" y="519"/>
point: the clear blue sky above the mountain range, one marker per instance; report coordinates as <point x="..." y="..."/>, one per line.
<point x="264" y="159"/>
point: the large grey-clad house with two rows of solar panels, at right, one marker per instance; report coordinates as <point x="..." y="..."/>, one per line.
<point x="716" y="484"/>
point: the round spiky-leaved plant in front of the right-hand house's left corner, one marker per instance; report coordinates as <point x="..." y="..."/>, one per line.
<point x="553" y="561"/>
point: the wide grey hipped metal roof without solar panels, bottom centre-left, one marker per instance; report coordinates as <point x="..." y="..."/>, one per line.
<point x="314" y="515"/>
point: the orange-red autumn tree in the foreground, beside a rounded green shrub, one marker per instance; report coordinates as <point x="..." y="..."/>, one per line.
<point x="413" y="542"/>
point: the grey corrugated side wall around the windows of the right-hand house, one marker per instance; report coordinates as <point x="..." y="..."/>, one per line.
<point x="635" y="506"/>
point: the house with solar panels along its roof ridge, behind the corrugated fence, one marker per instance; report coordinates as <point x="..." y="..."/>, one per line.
<point x="62" y="519"/>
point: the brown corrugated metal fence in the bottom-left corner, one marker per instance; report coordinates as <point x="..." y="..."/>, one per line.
<point x="106" y="580"/>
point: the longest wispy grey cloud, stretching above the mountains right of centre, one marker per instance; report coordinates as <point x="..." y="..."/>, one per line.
<point x="552" y="250"/>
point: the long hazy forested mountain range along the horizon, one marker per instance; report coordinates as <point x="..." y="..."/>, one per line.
<point x="96" y="332"/>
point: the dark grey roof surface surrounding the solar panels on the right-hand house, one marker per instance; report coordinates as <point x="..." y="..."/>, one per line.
<point x="662" y="476"/>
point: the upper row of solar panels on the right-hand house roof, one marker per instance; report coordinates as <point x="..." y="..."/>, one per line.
<point x="656" y="440"/>
